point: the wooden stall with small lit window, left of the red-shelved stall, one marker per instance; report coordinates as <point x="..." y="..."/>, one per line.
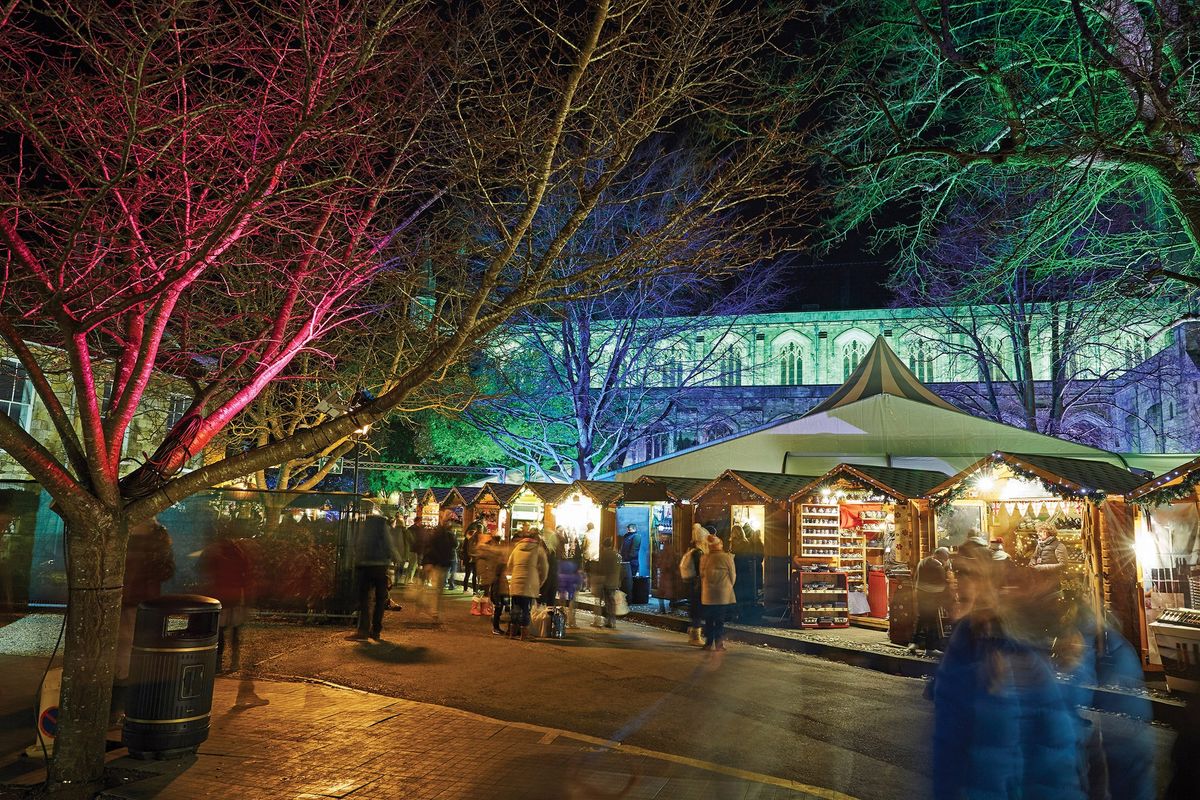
<point x="752" y="514"/>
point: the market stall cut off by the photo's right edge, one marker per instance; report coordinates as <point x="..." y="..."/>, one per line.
<point x="1168" y="548"/>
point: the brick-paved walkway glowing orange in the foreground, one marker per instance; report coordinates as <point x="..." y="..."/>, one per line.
<point x="315" y="742"/>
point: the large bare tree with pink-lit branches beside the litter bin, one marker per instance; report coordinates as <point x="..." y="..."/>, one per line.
<point x="209" y="193"/>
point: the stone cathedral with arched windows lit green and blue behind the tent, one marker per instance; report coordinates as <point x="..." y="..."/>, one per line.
<point x="1133" y="390"/>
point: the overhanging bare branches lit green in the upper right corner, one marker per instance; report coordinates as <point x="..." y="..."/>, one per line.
<point x="1090" y="104"/>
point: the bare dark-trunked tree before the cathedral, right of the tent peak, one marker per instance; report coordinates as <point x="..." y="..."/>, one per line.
<point x="1042" y="317"/>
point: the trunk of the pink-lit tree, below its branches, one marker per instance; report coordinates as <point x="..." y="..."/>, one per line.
<point x="95" y="573"/>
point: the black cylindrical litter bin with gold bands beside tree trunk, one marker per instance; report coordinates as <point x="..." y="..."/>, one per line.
<point x="172" y="670"/>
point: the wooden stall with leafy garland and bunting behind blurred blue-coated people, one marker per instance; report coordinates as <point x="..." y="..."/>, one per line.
<point x="1007" y="497"/>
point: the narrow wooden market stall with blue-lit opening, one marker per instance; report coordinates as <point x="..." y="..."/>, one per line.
<point x="662" y="507"/>
